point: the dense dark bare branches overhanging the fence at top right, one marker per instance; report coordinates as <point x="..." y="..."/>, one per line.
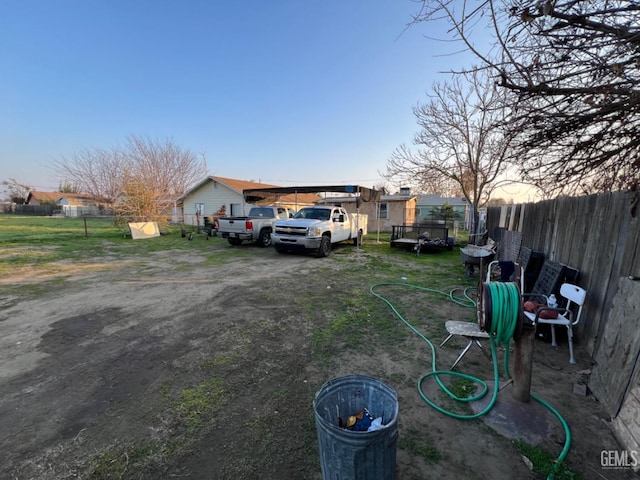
<point x="573" y="69"/>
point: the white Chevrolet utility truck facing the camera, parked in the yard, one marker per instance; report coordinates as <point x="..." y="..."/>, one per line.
<point x="315" y="229"/>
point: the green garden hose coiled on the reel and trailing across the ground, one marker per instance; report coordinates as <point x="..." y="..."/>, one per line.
<point x="505" y="312"/>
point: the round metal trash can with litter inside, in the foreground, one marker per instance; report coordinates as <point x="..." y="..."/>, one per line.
<point x="352" y="455"/>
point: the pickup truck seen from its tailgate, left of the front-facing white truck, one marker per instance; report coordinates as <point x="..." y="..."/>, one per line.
<point x="256" y="227"/>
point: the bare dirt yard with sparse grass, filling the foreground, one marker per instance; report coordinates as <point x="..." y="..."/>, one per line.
<point x="159" y="367"/>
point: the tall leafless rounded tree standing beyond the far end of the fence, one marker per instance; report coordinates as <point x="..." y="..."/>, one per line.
<point x="460" y="145"/>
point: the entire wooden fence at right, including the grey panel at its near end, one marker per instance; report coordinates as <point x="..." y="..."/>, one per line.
<point x="600" y="236"/>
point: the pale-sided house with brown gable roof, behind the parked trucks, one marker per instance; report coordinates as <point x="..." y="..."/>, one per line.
<point x="219" y="196"/>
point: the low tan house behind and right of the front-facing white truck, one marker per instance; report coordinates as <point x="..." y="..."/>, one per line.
<point x="391" y="210"/>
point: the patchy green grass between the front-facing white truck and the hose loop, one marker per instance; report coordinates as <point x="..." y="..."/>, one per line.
<point x="355" y="314"/>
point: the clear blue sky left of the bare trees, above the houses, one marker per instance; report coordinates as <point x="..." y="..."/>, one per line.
<point x="287" y="92"/>
